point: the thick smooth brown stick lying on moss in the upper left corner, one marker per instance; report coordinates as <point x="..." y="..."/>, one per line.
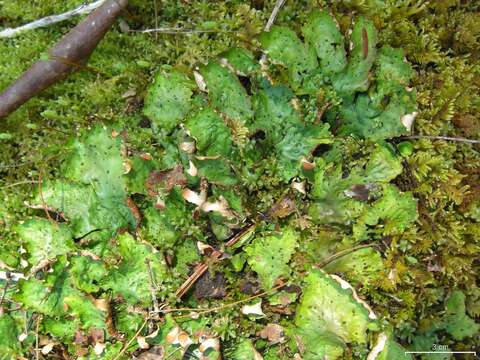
<point x="75" y="47"/>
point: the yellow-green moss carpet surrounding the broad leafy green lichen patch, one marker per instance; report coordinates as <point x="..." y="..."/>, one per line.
<point x="441" y="39"/>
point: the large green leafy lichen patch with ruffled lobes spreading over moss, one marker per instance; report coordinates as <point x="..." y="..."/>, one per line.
<point x="305" y="123"/>
